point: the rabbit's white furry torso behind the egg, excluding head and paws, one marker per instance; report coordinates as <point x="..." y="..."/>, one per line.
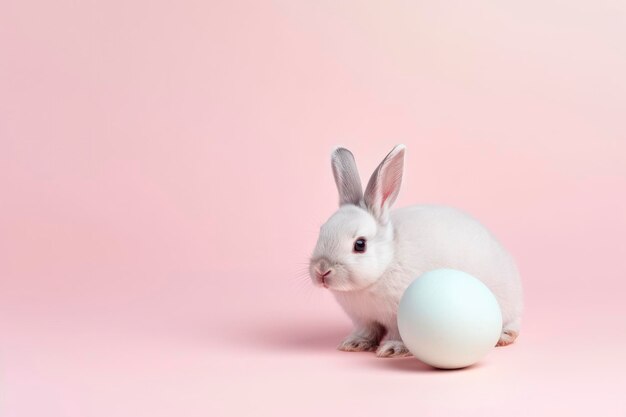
<point x="432" y="237"/>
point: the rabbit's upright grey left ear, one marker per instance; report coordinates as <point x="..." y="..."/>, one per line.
<point x="346" y="177"/>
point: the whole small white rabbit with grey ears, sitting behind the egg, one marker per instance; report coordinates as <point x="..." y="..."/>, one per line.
<point x="367" y="254"/>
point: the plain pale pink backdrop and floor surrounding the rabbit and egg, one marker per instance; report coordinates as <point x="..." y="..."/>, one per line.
<point x="164" y="167"/>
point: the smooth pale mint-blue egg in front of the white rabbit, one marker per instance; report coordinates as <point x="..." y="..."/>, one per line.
<point x="449" y="319"/>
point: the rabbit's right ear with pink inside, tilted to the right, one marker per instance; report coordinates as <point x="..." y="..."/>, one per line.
<point x="383" y="187"/>
